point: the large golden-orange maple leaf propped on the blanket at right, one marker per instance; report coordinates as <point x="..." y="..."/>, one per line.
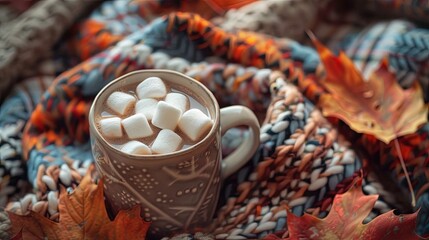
<point x="379" y="106"/>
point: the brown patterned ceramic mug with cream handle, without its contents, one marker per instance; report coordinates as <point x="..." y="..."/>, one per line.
<point x="177" y="191"/>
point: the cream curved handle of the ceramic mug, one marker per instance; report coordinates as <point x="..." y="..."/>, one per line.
<point x="234" y="116"/>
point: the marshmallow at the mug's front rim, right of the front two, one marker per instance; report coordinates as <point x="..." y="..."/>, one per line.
<point x="167" y="141"/>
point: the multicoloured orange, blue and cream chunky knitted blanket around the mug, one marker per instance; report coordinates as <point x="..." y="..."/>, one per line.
<point x="253" y="53"/>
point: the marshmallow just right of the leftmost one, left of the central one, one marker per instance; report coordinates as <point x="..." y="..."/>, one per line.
<point x="137" y="126"/>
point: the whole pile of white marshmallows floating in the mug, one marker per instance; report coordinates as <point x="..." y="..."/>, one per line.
<point x="165" y="110"/>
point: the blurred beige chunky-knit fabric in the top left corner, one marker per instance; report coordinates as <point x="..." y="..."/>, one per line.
<point x="28" y="38"/>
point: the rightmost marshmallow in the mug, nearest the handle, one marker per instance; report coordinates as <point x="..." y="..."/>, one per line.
<point x="194" y="123"/>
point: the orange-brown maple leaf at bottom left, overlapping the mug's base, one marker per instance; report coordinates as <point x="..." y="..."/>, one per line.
<point x="82" y="216"/>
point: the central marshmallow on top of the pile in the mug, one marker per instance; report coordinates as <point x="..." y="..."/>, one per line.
<point x="166" y="116"/>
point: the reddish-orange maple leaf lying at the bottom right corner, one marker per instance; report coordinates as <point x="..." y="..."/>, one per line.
<point x="344" y="220"/>
